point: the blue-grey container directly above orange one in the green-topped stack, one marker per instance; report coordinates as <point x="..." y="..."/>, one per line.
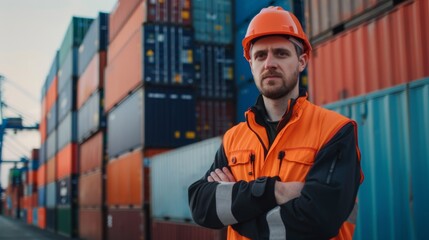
<point x="67" y="130"/>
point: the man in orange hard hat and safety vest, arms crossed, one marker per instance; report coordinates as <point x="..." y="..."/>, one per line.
<point x="292" y="170"/>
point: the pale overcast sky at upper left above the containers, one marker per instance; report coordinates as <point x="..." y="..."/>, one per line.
<point x="30" y="33"/>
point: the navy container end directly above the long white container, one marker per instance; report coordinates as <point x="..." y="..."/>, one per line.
<point x="163" y="129"/>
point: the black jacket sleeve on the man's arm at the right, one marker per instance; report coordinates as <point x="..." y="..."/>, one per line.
<point x="328" y="196"/>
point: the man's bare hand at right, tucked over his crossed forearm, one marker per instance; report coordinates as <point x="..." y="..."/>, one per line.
<point x="286" y="191"/>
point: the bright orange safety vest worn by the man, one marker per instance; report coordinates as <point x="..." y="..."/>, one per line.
<point x="308" y="130"/>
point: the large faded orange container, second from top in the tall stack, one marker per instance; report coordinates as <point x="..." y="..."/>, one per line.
<point x="124" y="72"/>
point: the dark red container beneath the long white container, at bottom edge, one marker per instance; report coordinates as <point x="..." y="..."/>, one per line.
<point x="165" y="230"/>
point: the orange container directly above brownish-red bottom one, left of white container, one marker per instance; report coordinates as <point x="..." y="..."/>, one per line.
<point x="124" y="180"/>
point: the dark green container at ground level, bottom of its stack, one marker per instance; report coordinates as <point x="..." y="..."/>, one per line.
<point x="67" y="218"/>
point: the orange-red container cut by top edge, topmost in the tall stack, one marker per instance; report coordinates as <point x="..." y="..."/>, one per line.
<point x="121" y="14"/>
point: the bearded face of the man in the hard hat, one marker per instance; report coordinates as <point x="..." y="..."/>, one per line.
<point x="275" y="67"/>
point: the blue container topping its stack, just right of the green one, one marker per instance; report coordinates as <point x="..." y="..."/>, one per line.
<point x="96" y="40"/>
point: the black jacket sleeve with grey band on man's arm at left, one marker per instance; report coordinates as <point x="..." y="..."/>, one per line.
<point x="247" y="200"/>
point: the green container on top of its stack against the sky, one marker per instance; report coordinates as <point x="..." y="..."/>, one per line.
<point x="74" y="36"/>
